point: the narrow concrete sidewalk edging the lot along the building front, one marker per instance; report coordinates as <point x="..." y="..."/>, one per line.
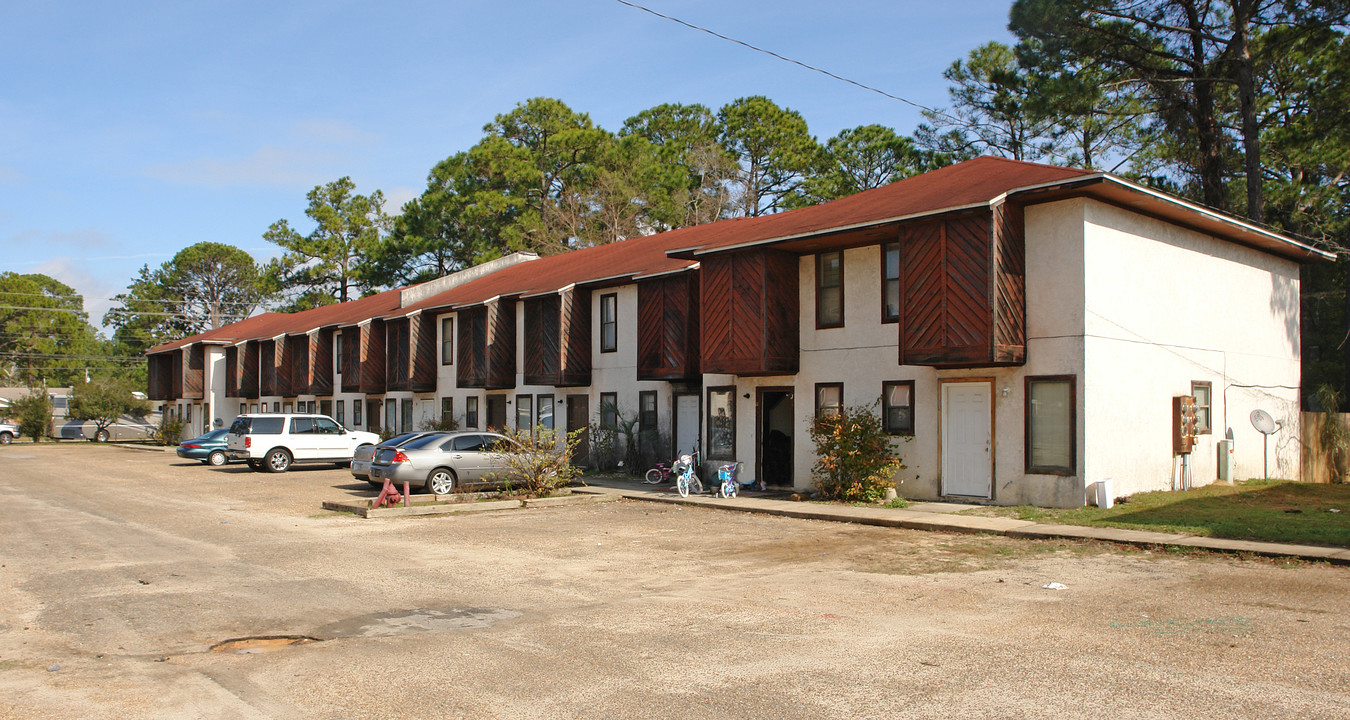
<point x="940" y="517"/>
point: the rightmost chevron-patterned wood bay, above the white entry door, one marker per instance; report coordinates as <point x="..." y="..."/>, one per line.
<point x="956" y="288"/>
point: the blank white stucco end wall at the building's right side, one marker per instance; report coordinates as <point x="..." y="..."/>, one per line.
<point x="1167" y="307"/>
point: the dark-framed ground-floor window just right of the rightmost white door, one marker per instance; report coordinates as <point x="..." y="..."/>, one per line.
<point x="1051" y="426"/>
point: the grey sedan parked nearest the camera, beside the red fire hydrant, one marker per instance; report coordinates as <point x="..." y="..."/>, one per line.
<point x="443" y="464"/>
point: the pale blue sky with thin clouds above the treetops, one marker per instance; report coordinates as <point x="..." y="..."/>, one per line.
<point x="133" y="130"/>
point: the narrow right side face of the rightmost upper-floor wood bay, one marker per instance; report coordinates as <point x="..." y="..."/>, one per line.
<point x="1010" y="286"/>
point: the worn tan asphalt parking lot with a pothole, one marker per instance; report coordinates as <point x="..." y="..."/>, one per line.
<point x="122" y="569"/>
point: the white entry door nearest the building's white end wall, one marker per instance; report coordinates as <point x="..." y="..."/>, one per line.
<point x="967" y="422"/>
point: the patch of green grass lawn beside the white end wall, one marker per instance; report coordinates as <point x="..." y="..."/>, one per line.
<point x="1259" y="510"/>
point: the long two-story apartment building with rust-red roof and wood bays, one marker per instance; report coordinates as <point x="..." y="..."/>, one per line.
<point x="1023" y="329"/>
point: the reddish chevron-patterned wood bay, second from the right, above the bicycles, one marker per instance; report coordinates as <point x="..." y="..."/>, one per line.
<point x="749" y="313"/>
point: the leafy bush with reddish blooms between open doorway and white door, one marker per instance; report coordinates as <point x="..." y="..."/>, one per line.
<point x="855" y="460"/>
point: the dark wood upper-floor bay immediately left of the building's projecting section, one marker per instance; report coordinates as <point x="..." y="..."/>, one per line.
<point x="668" y="328"/>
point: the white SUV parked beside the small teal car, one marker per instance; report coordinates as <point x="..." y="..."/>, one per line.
<point x="275" y="442"/>
